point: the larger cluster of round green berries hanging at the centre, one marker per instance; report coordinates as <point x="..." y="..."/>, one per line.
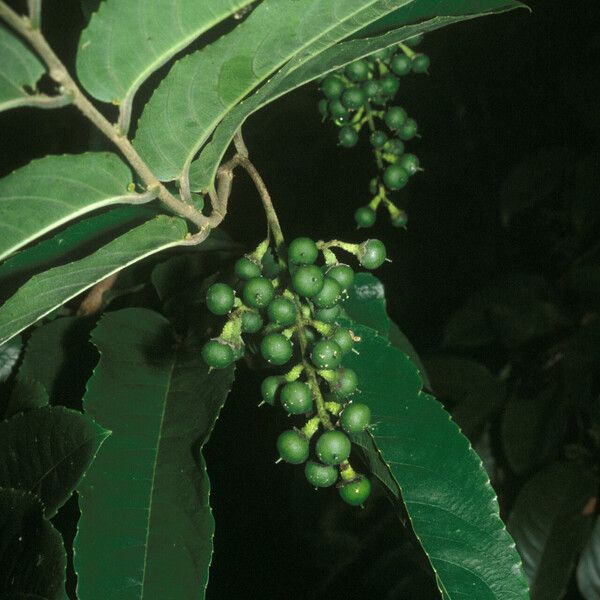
<point x="295" y="315"/>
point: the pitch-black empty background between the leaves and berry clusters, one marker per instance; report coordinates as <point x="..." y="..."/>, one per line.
<point x="499" y="89"/>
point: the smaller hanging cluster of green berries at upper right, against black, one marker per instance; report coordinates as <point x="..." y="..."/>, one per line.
<point x="361" y="94"/>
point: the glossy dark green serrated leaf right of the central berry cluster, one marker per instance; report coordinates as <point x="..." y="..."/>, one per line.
<point x="420" y="455"/>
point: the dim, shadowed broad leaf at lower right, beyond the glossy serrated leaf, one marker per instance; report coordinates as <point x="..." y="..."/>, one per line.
<point x="550" y="527"/>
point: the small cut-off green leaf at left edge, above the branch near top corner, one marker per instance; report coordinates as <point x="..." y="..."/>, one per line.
<point x="19" y="68"/>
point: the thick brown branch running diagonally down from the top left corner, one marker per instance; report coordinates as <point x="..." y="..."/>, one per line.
<point x="58" y="72"/>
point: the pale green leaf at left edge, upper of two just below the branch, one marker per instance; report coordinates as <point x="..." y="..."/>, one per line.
<point x="54" y="190"/>
